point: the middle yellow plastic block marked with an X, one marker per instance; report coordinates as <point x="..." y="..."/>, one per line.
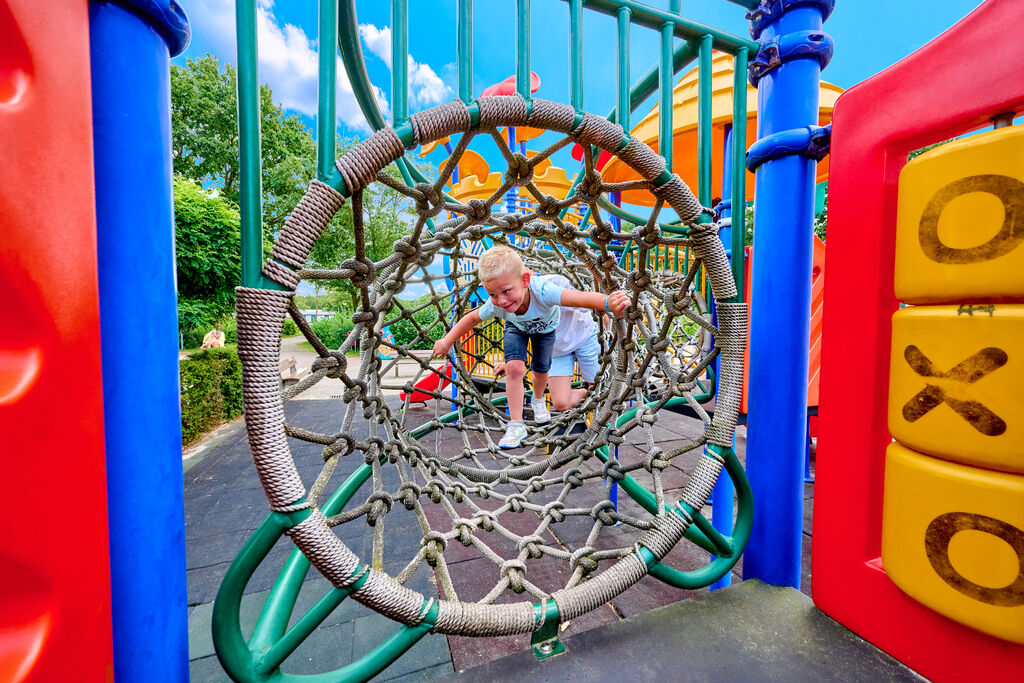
<point x="957" y="383"/>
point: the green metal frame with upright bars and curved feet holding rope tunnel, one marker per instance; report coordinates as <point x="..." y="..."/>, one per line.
<point x="273" y="642"/>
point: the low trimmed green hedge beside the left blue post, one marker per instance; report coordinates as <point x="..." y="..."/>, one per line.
<point x="211" y="392"/>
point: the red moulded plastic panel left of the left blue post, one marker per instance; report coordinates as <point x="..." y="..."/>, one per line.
<point x="55" y="577"/>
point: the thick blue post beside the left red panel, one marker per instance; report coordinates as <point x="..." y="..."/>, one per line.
<point x="132" y="46"/>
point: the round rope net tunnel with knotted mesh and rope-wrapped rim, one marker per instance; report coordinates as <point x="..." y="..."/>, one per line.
<point x="444" y="467"/>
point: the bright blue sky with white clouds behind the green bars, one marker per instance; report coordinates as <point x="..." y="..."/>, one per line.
<point x="870" y="36"/>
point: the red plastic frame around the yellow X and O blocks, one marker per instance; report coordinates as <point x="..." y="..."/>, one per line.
<point x="951" y="87"/>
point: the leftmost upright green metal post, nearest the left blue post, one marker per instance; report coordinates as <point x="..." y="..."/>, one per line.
<point x="251" y="193"/>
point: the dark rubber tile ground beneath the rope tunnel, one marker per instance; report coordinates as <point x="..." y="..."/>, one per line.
<point x="225" y="504"/>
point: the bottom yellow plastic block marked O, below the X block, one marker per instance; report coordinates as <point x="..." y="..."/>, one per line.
<point x="953" y="539"/>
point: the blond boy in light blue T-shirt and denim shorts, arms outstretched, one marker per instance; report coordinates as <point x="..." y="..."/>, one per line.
<point x="530" y="306"/>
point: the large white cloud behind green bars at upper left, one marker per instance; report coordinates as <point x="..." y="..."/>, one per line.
<point x="288" y="60"/>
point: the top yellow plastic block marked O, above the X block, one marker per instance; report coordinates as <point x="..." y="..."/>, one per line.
<point x="960" y="227"/>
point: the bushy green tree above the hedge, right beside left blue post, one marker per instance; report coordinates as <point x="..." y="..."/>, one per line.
<point x="208" y="254"/>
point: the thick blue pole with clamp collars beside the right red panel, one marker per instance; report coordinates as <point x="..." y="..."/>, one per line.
<point x="788" y="99"/>
